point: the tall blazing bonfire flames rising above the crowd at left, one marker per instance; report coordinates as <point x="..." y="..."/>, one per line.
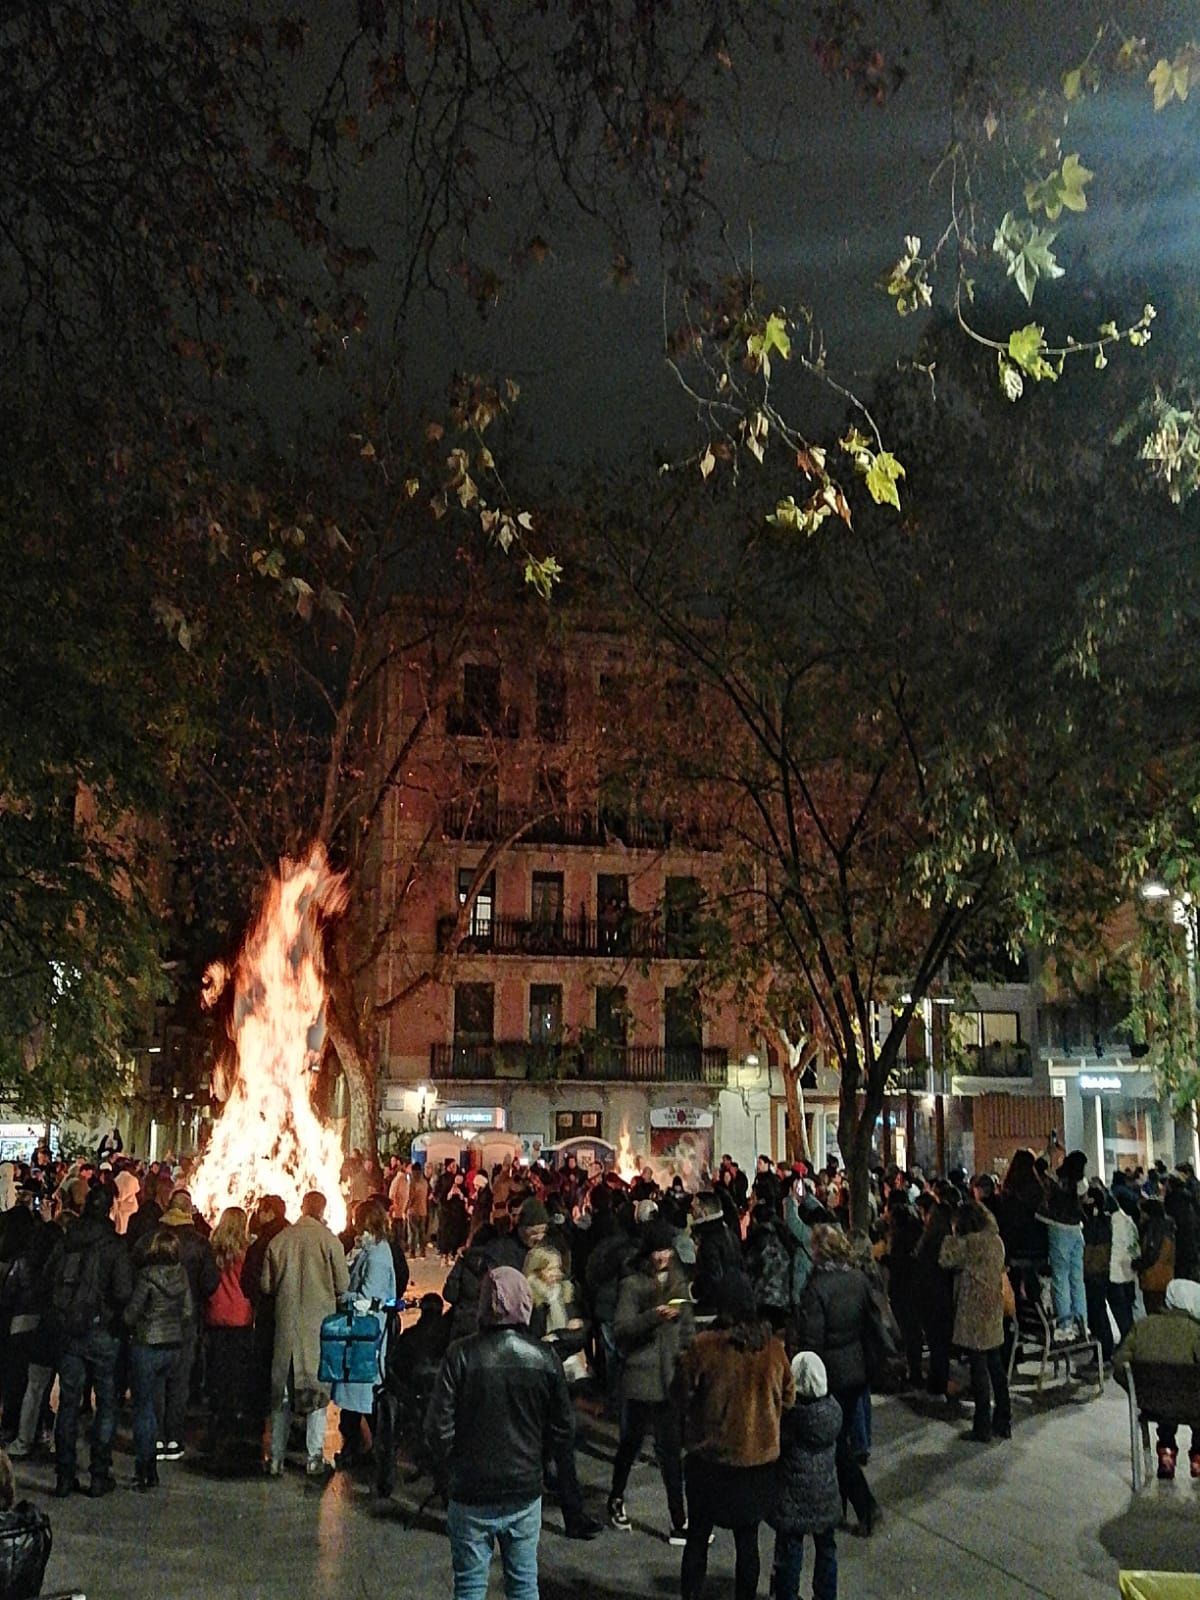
<point x="270" y="1140"/>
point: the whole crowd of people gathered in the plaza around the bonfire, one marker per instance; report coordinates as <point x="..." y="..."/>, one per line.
<point x="743" y="1327"/>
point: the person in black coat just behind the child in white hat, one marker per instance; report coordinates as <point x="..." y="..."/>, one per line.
<point x="834" y="1321"/>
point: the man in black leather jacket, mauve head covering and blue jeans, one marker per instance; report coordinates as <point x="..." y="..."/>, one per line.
<point x="500" y="1409"/>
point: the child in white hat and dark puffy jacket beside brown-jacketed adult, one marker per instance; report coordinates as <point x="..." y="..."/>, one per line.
<point x="809" y="1498"/>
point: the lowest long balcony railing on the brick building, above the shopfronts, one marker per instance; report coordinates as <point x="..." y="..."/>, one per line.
<point x="594" y="1063"/>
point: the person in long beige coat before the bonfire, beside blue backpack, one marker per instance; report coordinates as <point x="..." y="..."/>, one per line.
<point x="305" y="1271"/>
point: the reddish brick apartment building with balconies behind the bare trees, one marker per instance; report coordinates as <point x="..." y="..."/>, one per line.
<point x="553" y="908"/>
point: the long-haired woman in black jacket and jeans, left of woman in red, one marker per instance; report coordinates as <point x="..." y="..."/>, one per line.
<point x="158" y="1318"/>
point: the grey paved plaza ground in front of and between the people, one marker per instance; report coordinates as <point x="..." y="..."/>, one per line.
<point x="1049" y="1514"/>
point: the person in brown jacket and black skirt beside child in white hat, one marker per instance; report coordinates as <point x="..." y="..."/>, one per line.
<point x="737" y="1382"/>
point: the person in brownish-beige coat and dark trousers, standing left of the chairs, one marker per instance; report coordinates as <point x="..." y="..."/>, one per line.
<point x="977" y="1257"/>
